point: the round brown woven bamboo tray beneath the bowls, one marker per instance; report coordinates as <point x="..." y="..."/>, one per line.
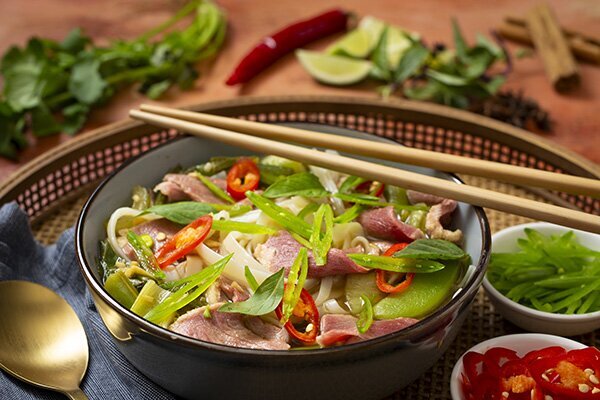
<point x="52" y="188"/>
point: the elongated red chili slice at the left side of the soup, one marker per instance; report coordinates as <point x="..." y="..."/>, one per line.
<point x="184" y="241"/>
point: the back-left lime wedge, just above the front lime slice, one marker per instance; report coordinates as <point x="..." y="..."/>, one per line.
<point x="360" y="42"/>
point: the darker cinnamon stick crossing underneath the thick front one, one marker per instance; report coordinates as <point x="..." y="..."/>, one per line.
<point x="583" y="47"/>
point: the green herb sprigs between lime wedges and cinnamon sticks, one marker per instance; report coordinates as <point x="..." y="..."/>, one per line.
<point x="452" y="77"/>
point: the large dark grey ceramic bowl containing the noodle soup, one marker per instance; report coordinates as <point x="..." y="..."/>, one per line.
<point x="195" y="369"/>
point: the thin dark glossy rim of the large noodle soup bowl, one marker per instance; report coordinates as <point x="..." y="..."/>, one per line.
<point x="163" y="333"/>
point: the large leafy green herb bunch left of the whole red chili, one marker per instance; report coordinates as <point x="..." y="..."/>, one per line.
<point x="51" y="86"/>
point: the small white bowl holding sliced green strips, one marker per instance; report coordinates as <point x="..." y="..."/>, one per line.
<point x="529" y="318"/>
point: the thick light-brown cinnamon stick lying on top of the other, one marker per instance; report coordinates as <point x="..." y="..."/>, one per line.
<point x="552" y="47"/>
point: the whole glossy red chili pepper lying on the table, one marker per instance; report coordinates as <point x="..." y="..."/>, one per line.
<point x="275" y="46"/>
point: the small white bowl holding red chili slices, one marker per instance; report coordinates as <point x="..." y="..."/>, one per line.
<point x="522" y="343"/>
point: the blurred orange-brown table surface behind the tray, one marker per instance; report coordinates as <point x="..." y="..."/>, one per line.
<point x="576" y="115"/>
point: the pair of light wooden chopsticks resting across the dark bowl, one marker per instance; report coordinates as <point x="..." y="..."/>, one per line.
<point x="253" y="137"/>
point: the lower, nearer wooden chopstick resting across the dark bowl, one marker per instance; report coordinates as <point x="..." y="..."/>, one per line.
<point x="388" y="175"/>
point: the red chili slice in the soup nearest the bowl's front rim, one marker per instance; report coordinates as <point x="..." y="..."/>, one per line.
<point x="306" y="316"/>
